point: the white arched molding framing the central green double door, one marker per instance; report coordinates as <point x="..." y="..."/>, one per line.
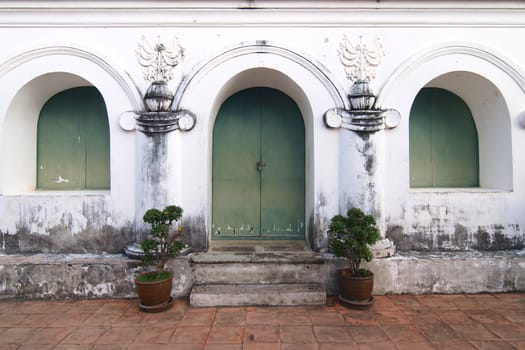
<point x="259" y="64"/>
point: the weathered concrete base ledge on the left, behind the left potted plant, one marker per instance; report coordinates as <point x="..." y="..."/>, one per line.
<point x="73" y="276"/>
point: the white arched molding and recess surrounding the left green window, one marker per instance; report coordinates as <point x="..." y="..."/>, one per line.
<point x="29" y="79"/>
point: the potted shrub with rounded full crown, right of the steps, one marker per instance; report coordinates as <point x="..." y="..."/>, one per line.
<point x="350" y="237"/>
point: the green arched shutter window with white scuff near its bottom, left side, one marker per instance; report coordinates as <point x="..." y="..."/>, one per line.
<point x="73" y="141"/>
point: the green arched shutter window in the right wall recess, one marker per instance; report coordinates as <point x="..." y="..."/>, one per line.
<point x="443" y="141"/>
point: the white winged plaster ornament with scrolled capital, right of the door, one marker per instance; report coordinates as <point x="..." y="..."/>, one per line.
<point x="360" y="64"/>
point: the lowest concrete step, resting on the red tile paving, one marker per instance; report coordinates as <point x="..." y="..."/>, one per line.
<point x="257" y="294"/>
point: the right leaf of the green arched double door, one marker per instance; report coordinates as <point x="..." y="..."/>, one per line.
<point x="282" y="194"/>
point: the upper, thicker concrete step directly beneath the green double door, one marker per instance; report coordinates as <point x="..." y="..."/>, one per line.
<point x="289" y="268"/>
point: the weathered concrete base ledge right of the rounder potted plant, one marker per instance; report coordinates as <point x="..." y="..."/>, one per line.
<point x="448" y="273"/>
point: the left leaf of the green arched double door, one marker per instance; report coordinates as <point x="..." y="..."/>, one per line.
<point x="236" y="184"/>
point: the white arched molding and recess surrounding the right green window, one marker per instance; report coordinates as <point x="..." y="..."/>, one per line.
<point x="486" y="81"/>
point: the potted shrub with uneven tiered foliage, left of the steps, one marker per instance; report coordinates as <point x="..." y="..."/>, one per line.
<point x="164" y="243"/>
